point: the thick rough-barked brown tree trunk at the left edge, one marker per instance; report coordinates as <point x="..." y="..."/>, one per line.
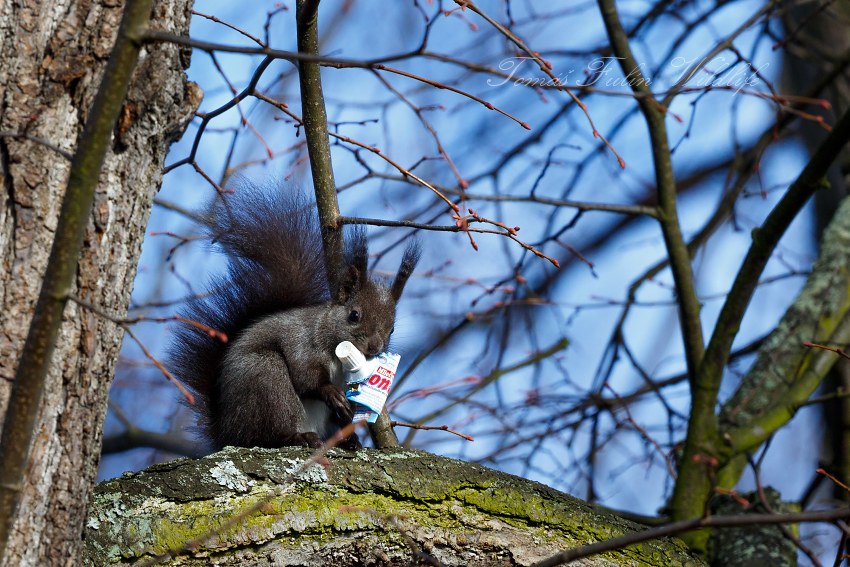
<point x="51" y="58"/>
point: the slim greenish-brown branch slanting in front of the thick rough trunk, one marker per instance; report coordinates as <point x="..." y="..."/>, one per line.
<point x="59" y="277"/>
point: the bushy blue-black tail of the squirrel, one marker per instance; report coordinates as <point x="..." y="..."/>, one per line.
<point x="273" y="244"/>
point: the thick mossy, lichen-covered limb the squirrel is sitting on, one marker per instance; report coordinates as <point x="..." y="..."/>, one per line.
<point x="373" y="507"/>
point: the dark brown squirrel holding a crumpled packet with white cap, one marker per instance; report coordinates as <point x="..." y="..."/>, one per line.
<point x="277" y="382"/>
